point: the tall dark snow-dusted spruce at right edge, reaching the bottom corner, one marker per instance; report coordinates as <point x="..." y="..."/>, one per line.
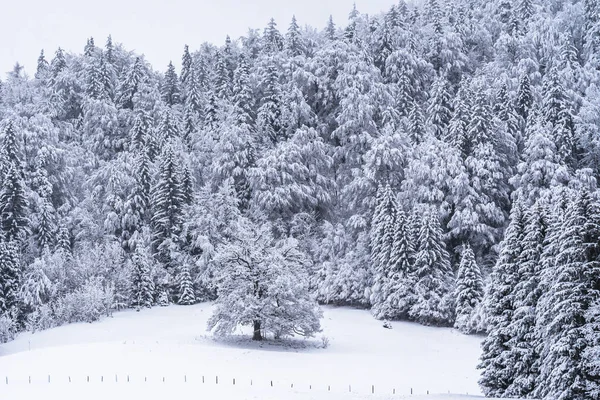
<point x="574" y="290"/>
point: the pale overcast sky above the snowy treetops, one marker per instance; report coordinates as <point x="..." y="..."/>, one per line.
<point x="157" y="28"/>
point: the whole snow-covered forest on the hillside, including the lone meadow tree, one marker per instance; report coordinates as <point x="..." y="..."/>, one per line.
<point x="436" y="163"/>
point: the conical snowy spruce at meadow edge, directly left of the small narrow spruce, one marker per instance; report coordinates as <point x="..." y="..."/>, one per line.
<point x="433" y="287"/>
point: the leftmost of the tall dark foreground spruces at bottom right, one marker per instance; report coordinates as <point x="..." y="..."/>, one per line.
<point x="497" y="375"/>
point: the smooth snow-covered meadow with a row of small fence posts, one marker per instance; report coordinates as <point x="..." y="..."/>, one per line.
<point x="128" y="356"/>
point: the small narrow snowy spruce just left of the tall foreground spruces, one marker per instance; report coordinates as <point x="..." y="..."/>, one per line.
<point x="469" y="289"/>
